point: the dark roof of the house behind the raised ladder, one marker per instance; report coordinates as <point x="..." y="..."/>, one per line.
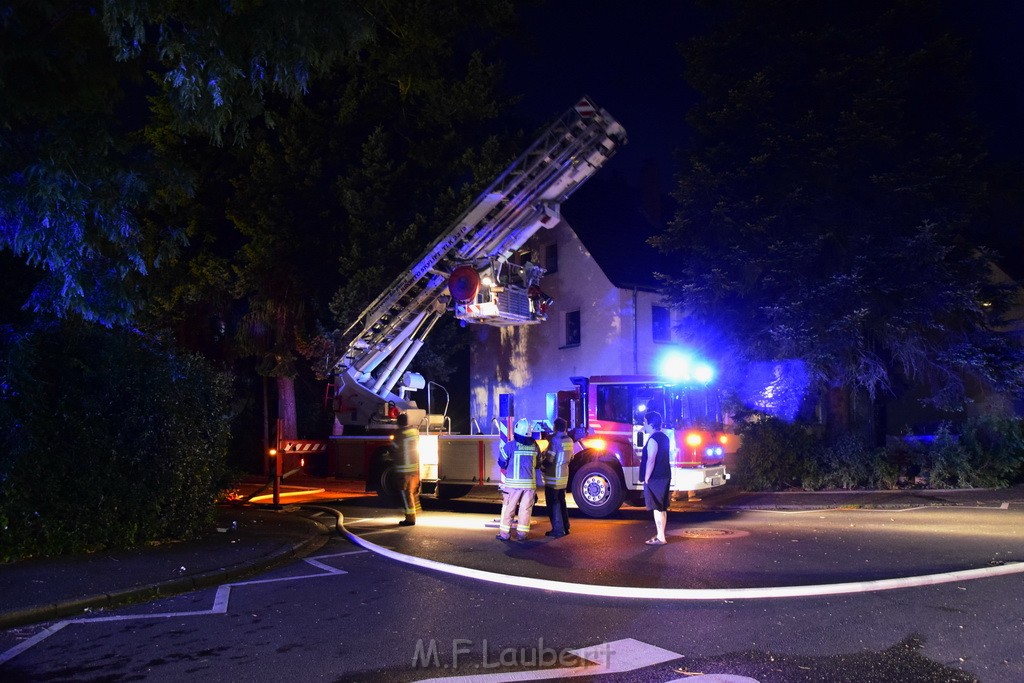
<point x="614" y="221"/>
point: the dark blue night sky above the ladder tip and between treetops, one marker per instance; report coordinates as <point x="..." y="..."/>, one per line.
<point x="624" y="56"/>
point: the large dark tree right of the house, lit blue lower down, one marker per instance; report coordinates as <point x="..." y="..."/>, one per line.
<point x="828" y="208"/>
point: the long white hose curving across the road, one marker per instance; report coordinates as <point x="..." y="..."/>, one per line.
<point x="688" y="593"/>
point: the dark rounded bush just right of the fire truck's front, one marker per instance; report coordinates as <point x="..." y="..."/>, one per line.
<point x="774" y="453"/>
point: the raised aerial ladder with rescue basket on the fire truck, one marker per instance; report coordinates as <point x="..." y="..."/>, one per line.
<point x="468" y="270"/>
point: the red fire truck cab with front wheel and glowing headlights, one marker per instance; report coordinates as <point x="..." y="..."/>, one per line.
<point x="609" y="412"/>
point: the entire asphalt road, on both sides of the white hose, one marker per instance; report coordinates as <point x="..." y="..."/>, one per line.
<point x="349" y="615"/>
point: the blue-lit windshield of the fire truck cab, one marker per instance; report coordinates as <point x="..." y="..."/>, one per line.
<point x="681" y="407"/>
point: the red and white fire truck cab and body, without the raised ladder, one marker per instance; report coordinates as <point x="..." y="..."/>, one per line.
<point x="606" y="414"/>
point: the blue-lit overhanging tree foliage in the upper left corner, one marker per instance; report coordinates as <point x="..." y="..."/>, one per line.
<point x="75" y="175"/>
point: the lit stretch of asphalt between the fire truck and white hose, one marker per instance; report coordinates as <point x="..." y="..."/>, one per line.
<point x="717" y="550"/>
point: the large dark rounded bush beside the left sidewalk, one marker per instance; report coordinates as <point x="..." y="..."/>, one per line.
<point x="110" y="441"/>
